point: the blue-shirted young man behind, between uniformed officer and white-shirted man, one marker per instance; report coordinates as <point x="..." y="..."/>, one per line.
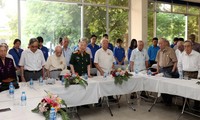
<point x="93" y="47"/>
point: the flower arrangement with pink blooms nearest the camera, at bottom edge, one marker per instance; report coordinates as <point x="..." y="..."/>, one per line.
<point x="49" y="101"/>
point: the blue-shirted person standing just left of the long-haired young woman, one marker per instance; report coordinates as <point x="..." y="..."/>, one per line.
<point x="119" y="53"/>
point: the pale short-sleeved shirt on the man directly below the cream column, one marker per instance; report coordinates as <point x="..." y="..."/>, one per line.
<point x="139" y="58"/>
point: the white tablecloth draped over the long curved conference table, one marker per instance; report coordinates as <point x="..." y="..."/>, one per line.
<point x="76" y="95"/>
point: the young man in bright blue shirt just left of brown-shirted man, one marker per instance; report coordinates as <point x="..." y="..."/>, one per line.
<point x="152" y="51"/>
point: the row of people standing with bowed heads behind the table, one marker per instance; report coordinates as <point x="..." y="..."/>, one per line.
<point x="34" y="62"/>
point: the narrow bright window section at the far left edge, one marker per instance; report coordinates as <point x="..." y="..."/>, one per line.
<point x="8" y="21"/>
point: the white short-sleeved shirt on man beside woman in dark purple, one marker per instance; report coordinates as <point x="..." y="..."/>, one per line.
<point x="32" y="61"/>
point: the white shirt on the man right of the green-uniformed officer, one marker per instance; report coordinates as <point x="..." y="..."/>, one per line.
<point x="105" y="59"/>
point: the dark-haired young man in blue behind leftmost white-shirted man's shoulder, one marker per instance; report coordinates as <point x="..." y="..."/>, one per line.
<point x="44" y="49"/>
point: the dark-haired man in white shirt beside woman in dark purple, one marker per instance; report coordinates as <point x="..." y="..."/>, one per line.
<point x="32" y="62"/>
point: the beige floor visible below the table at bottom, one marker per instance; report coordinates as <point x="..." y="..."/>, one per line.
<point x="159" y="112"/>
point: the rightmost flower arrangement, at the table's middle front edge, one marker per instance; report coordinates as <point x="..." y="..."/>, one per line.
<point x="120" y="76"/>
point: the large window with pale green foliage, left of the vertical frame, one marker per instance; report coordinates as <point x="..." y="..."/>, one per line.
<point x="51" y="20"/>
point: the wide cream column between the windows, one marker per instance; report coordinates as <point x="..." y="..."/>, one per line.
<point x="139" y="27"/>
